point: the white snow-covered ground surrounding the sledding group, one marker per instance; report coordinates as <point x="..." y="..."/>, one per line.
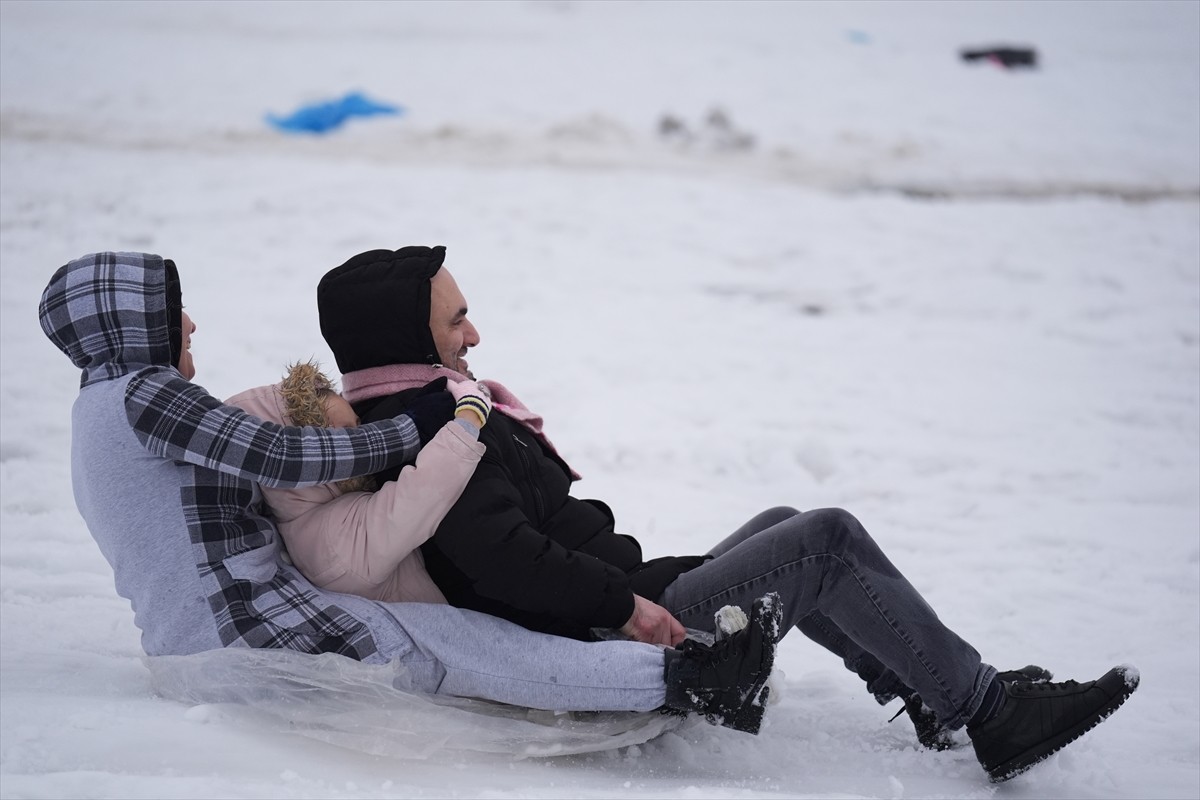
<point x="963" y="303"/>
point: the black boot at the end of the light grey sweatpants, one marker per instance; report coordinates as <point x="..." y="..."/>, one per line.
<point x="727" y="682"/>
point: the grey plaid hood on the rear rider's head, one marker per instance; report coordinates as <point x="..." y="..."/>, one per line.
<point x="109" y="314"/>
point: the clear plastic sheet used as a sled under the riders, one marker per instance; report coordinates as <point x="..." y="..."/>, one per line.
<point x="357" y="706"/>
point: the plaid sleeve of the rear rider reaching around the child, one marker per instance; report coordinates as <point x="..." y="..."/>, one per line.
<point x="179" y="420"/>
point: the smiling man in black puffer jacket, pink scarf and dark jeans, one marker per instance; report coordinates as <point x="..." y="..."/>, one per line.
<point x="518" y="545"/>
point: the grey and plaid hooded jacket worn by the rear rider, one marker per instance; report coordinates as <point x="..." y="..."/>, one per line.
<point x="166" y="478"/>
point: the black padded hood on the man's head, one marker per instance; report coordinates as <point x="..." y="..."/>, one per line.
<point x="375" y="310"/>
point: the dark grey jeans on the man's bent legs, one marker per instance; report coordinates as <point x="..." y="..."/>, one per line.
<point x="841" y="590"/>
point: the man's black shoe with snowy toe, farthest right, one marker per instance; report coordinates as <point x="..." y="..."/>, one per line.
<point x="1039" y="720"/>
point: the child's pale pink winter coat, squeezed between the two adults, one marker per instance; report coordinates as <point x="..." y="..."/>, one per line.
<point x="368" y="544"/>
